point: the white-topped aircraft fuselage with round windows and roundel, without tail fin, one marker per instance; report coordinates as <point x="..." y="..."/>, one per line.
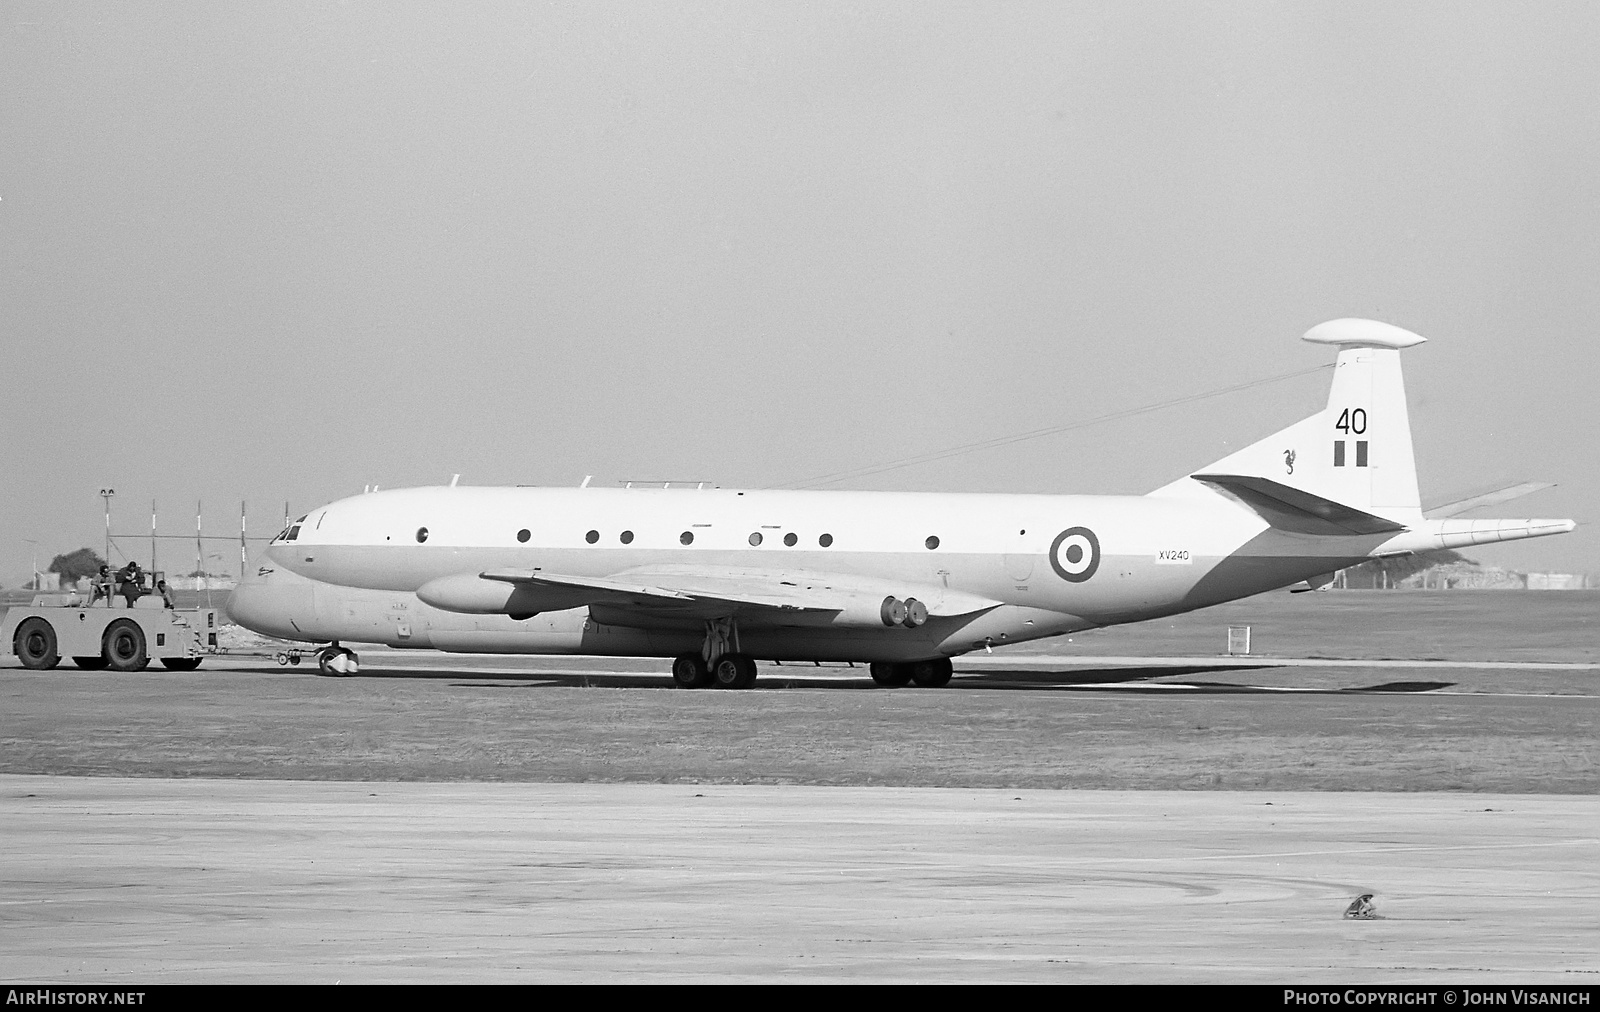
<point x="353" y="569"/>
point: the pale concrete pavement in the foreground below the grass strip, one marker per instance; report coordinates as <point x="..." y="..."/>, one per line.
<point x="268" y="881"/>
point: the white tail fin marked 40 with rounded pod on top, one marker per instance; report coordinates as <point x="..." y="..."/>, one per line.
<point x="1358" y="451"/>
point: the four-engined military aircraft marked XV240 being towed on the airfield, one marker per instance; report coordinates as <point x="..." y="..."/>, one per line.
<point x="718" y="579"/>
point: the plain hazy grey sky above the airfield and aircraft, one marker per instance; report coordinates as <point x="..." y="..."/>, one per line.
<point x="279" y="252"/>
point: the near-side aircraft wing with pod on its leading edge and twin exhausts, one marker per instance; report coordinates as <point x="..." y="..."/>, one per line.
<point x="751" y="593"/>
